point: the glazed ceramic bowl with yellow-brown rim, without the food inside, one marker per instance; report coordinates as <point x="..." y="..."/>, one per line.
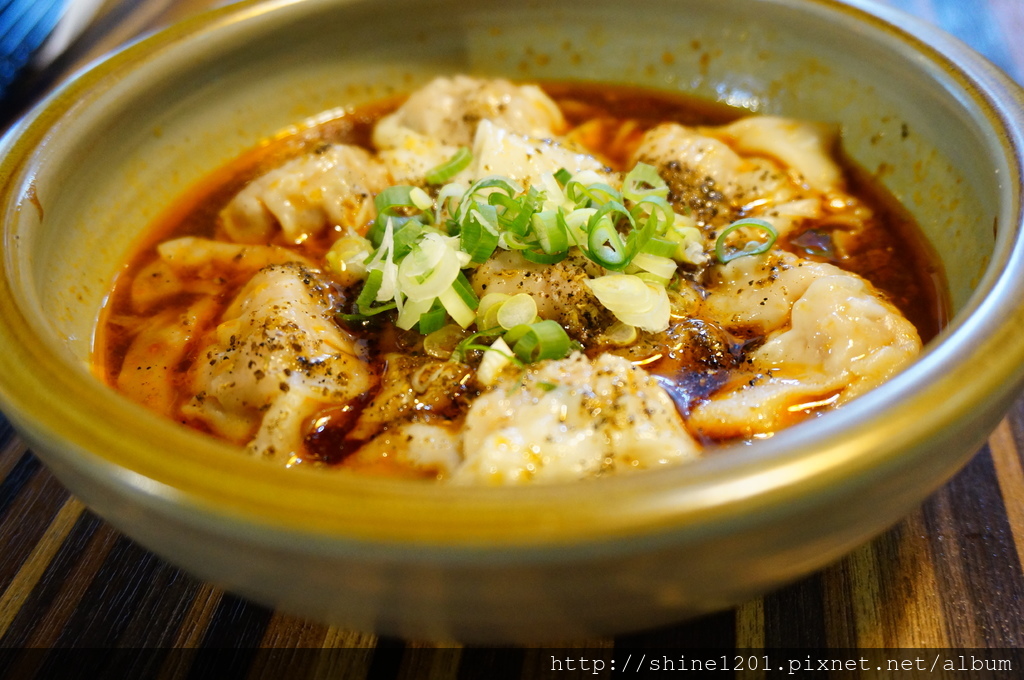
<point x="94" y="164"/>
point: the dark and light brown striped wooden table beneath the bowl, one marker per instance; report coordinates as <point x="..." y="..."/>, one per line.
<point x="948" y="577"/>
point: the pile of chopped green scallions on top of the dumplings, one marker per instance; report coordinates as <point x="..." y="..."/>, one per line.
<point x="422" y="244"/>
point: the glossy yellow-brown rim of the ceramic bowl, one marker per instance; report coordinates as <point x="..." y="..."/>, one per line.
<point x="209" y="484"/>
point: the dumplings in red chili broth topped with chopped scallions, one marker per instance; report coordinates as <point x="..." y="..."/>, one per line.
<point x="492" y="283"/>
